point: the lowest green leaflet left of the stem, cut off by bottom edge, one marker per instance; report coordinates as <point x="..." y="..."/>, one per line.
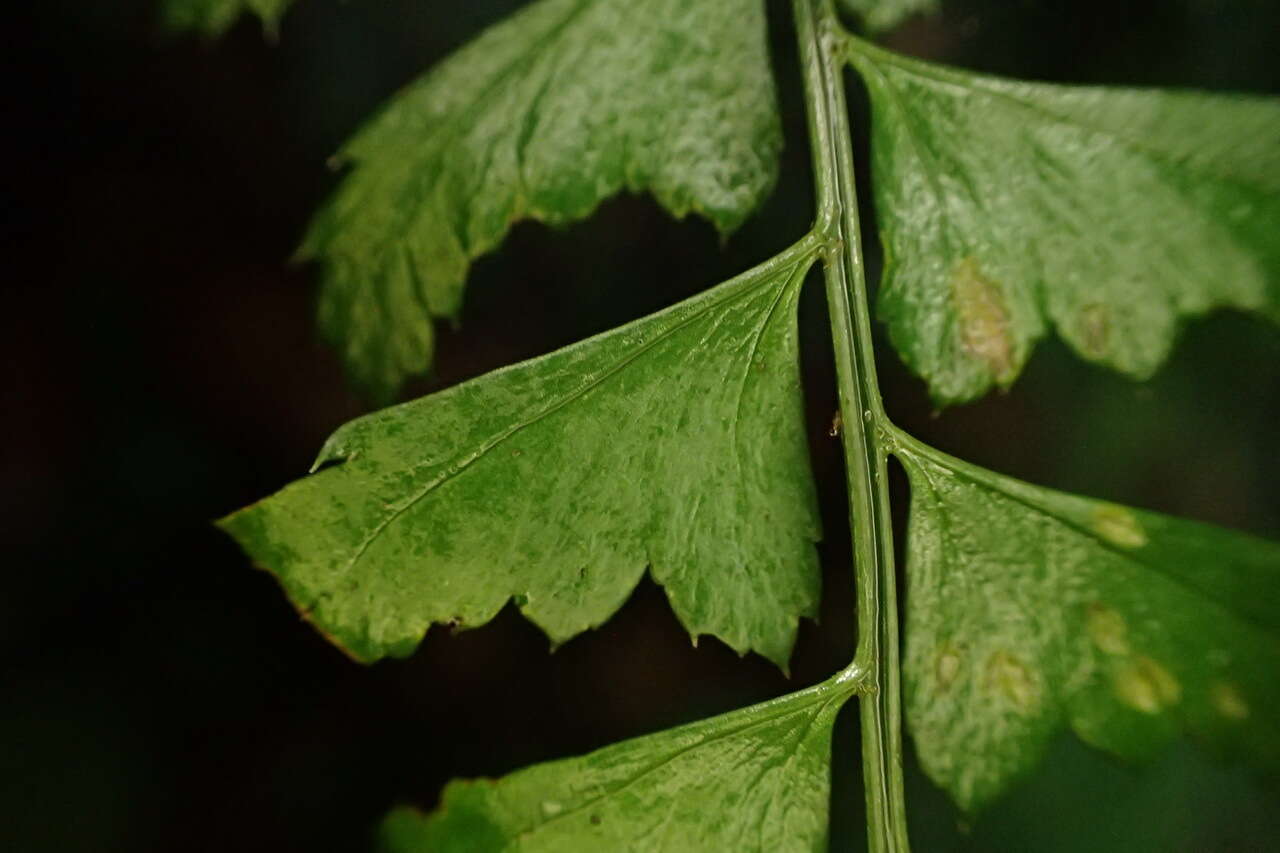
<point x="756" y="779"/>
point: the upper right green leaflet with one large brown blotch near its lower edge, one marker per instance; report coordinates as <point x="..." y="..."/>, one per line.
<point x="1109" y="215"/>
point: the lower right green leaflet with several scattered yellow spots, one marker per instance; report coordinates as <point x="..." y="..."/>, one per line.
<point x="1031" y="610"/>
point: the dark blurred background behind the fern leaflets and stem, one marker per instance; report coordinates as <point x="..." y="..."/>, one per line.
<point x="161" y="370"/>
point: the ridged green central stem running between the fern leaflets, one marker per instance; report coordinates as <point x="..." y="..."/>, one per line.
<point x="822" y="56"/>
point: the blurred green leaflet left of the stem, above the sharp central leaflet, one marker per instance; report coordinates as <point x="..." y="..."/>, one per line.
<point x="542" y="117"/>
